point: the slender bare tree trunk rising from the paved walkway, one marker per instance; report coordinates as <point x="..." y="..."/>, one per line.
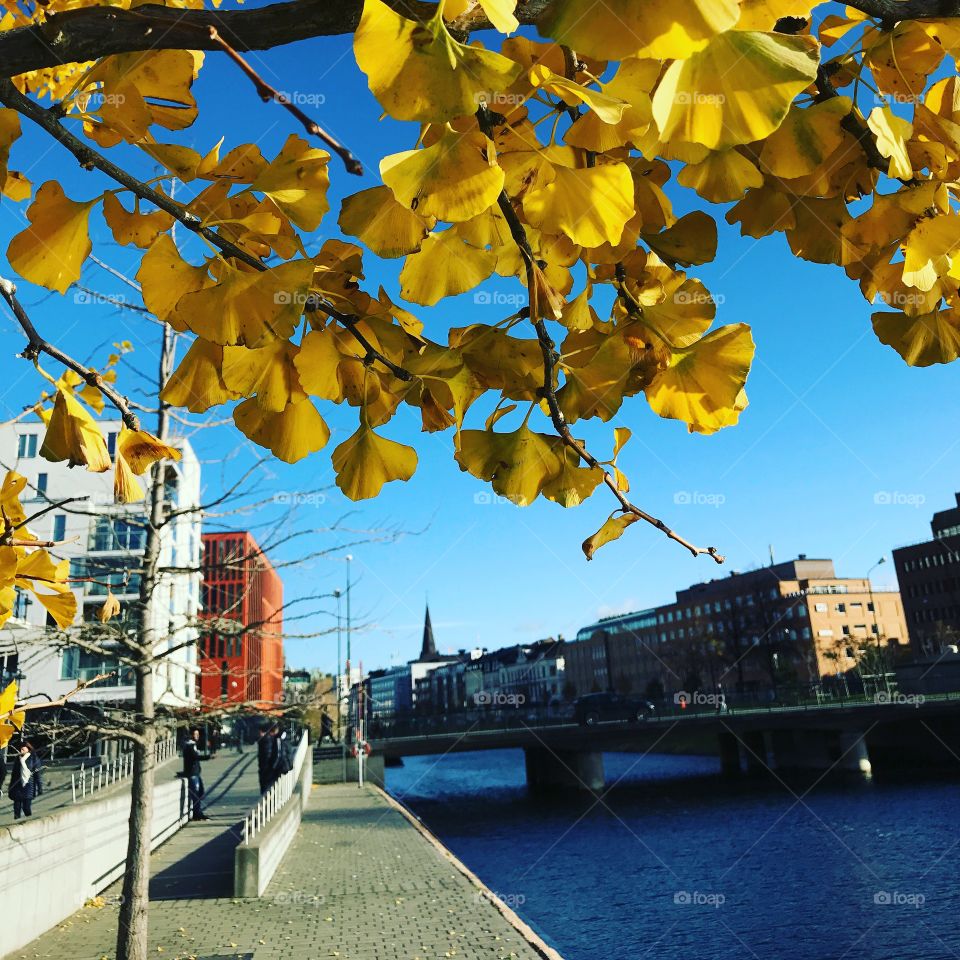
<point x="132" y="930"/>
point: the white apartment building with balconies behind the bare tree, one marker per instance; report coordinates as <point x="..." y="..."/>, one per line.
<point x="104" y="541"/>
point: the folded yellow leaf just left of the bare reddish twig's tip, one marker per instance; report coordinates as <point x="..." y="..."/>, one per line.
<point x="297" y="182"/>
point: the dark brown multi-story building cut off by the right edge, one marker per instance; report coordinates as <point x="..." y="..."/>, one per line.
<point x="929" y="577"/>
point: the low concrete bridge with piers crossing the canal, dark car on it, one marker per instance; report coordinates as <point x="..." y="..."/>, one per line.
<point x="904" y="733"/>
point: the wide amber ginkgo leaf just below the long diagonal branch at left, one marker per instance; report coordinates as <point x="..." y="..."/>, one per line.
<point x="248" y="307"/>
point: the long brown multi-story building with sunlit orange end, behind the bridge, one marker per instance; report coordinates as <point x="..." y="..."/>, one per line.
<point x="750" y="634"/>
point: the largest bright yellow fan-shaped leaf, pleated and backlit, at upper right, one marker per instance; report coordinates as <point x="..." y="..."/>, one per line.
<point x="736" y="90"/>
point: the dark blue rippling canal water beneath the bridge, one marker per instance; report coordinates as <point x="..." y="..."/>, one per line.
<point x="676" y="862"/>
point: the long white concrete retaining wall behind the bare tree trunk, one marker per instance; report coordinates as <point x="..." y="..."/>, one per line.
<point x="49" y="866"/>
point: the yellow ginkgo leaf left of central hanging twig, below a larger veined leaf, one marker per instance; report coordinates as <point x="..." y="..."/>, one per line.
<point x="444" y="267"/>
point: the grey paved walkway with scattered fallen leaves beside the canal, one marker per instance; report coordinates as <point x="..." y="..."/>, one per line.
<point x="360" y="882"/>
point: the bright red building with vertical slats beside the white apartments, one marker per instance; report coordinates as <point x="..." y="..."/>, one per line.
<point x="241" y="654"/>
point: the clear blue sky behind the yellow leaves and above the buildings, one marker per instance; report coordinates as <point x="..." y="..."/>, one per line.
<point x="836" y="422"/>
